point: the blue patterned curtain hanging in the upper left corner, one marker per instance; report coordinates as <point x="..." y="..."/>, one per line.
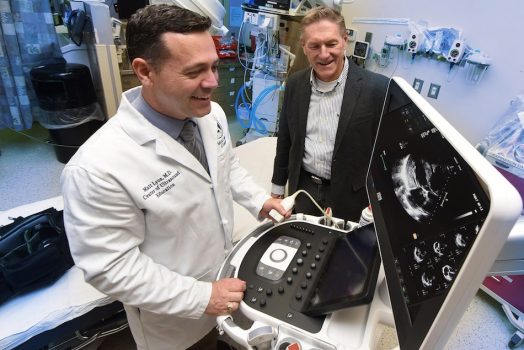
<point x="27" y="39"/>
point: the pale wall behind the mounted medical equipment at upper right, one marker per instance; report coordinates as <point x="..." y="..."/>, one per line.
<point x="496" y="28"/>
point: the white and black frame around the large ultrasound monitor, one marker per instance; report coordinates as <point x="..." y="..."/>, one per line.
<point x="505" y="208"/>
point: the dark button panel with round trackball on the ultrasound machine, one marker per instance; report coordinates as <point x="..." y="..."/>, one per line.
<point x="282" y="269"/>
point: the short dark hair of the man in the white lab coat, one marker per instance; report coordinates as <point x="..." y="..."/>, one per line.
<point x="145" y="28"/>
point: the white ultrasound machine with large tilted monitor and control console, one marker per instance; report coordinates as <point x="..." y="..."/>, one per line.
<point x="441" y="215"/>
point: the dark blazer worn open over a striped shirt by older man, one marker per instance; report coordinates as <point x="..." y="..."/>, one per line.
<point x="362" y="104"/>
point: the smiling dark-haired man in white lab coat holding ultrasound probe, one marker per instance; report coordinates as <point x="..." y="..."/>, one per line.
<point x="146" y="222"/>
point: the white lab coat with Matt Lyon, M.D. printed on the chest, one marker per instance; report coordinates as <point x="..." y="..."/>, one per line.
<point x="147" y="224"/>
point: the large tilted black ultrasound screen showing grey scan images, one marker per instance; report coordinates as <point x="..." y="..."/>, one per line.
<point x="428" y="206"/>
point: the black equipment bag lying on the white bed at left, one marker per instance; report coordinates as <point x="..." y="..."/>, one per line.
<point x="34" y="252"/>
